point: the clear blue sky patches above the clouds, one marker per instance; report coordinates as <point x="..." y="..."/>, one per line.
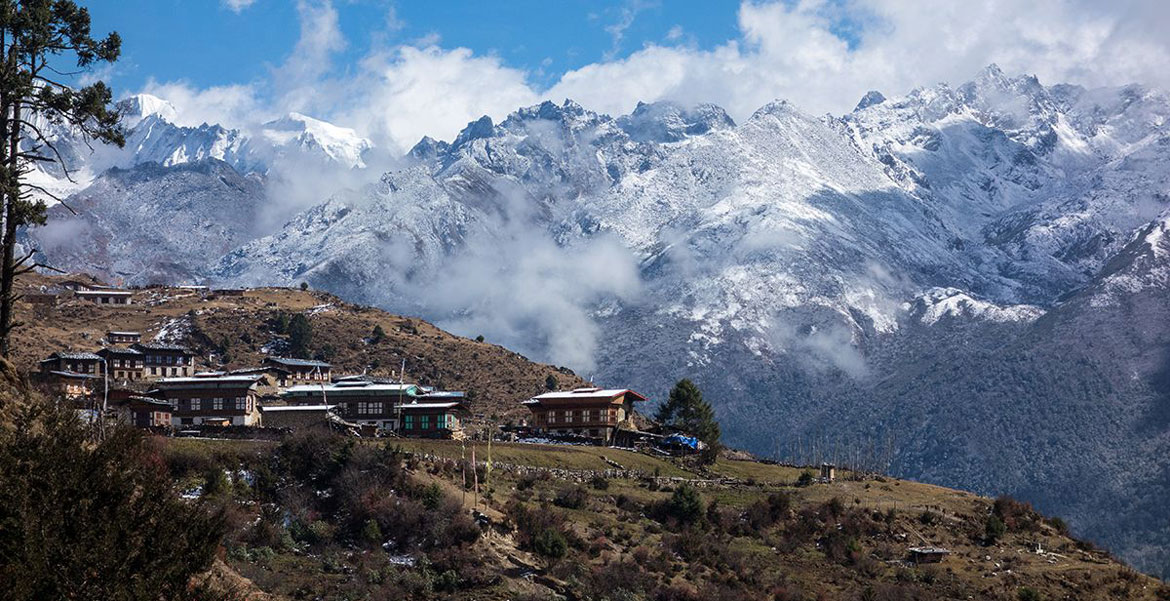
<point x="208" y="44"/>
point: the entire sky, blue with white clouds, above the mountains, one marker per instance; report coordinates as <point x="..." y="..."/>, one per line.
<point x="397" y="71"/>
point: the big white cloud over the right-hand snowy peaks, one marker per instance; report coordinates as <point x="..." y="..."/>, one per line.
<point x="789" y="51"/>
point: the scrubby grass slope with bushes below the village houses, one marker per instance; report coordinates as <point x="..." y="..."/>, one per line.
<point x="556" y="529"/>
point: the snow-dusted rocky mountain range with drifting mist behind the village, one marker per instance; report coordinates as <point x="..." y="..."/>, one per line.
<point x="968" y="282"/>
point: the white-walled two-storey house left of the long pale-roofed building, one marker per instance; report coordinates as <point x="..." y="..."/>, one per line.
<point x="214" y="399"/>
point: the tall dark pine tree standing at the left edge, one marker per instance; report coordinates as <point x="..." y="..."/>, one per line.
<point x="37" y="39"/>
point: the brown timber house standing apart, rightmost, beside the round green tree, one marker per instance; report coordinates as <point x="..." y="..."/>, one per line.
<point x="594" y="413"/>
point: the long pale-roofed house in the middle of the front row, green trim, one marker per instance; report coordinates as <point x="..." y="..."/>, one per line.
<point x="361" y="403"/>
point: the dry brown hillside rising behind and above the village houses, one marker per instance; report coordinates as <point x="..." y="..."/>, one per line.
<point x="239" y="333"/>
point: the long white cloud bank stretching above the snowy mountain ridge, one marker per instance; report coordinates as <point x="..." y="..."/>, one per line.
<point x="821" y="54"/>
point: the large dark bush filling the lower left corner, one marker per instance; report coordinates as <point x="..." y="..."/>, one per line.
<point x="95" y="520"/>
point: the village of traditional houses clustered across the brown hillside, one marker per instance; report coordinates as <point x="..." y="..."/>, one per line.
<point x="163" y="385"/>
